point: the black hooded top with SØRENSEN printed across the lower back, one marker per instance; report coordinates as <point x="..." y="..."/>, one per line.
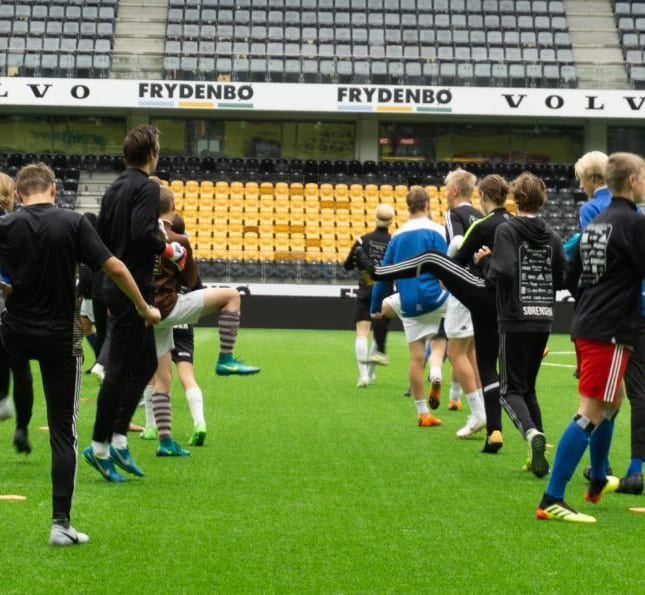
<point x="528" y="265"/>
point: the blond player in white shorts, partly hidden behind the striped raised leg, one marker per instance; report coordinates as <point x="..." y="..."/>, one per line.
<point x="461" y="214"/>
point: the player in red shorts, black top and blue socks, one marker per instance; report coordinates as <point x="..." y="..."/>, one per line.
<point x="605" y="328"/>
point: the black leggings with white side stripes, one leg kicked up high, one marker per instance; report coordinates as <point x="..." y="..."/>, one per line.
<point x="479" y="298"/>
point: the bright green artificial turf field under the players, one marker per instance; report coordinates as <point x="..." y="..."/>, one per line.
<point x="309" y="484"/>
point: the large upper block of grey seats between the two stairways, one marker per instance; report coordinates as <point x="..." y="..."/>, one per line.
<point x="462" y="42"/>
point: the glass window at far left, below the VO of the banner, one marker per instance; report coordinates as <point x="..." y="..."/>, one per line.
<point x="62" y="134"/>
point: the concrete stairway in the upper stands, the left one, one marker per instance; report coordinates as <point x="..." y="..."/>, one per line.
<point x="139" y="39"/>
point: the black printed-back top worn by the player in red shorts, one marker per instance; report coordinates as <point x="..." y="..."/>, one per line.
<point x="608" y="296"/>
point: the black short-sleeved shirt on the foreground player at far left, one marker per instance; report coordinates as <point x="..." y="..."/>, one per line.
<point x="40" y="249"/>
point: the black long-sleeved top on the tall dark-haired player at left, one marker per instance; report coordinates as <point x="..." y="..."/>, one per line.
<point x="128" y="224"/>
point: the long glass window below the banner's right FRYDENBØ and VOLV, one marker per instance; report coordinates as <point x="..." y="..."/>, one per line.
<point x="473" y="142"/>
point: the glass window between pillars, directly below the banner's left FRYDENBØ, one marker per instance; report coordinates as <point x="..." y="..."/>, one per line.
<point x="257" y="139"/>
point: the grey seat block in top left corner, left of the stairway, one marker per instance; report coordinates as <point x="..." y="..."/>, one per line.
<point x="57" y="39"/>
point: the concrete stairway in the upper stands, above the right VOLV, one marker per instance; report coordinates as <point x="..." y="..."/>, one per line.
<point x="595" y="43"/>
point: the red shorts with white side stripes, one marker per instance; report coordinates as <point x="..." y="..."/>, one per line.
<point x="601" y="366"/>
